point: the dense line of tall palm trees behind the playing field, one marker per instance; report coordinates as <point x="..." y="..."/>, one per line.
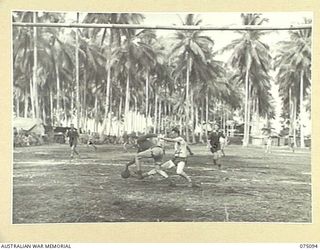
<point x="116" y="80"/>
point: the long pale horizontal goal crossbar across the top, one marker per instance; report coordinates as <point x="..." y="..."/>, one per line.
<point x="163" y="27"/>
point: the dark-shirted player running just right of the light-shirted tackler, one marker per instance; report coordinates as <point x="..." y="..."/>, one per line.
<point x="215" y="146"/>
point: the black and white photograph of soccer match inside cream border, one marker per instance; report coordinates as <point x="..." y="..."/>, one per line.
<point x="161" y="117"/>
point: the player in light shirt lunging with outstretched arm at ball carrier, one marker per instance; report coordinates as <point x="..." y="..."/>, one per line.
<point x="180" y="156"/>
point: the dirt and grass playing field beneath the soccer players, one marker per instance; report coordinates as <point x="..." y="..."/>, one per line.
<point x="251" y="187"/>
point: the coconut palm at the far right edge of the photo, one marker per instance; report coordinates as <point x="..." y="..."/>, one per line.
<point x="293" y="64"/>
